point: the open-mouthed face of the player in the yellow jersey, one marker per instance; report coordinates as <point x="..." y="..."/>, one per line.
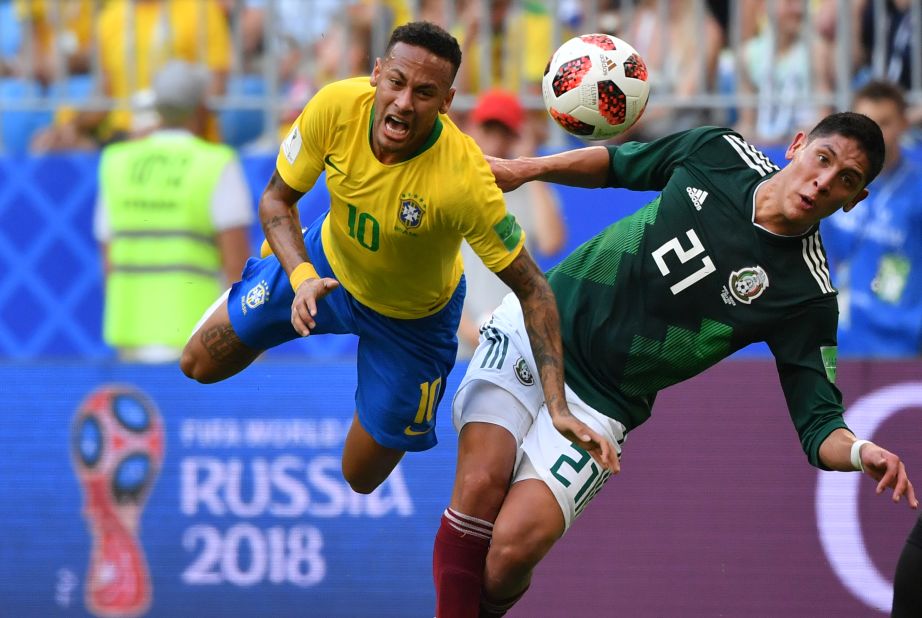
<point x="412" y="86"/>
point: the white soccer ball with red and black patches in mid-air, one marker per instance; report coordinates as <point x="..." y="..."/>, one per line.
<point x="595" y="86"/>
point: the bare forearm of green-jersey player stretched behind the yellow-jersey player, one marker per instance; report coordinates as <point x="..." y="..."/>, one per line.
<point x="583" y="167"/>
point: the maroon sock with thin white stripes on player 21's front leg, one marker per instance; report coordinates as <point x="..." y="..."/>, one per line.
<point x="458" y="559"/>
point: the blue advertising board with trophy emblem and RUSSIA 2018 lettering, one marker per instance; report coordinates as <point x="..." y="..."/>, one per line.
<point x="232" y="504"/>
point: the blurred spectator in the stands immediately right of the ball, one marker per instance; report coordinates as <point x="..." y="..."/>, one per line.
<point x="679" y="41"/>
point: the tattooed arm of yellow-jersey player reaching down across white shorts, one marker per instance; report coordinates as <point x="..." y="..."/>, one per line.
<point x="542" y="322"/>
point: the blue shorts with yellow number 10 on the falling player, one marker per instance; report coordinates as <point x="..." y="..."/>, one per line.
<point x="403" y="365"/>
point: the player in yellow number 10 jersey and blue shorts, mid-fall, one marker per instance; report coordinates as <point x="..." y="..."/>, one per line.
<point x="406" y="186"/>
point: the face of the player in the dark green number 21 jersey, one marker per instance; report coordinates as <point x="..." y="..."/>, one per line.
<point x="825" y="174"/>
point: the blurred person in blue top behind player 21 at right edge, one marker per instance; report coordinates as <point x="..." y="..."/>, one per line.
<point x="875" y="252"/>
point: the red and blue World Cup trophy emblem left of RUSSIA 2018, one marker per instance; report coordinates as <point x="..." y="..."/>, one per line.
<point x="117" y="447"/>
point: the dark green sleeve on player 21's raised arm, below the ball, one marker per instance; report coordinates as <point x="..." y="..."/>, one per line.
<point x="647" y="166"/>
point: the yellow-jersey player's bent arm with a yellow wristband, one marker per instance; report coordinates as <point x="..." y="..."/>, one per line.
<point x="281" y="225"/>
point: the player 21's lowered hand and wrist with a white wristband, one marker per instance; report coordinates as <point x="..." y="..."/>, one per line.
<point x="839" y="451"/>
